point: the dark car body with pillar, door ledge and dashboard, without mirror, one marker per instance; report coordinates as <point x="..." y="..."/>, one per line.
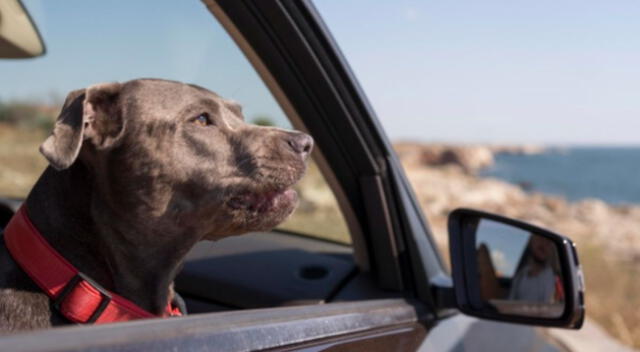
<point x="390" y="291"/>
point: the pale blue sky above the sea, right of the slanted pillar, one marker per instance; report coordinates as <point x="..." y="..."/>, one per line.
<point x="515" y="71"/>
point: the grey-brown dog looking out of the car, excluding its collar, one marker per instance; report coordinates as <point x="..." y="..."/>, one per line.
<point x="138" y="173"/>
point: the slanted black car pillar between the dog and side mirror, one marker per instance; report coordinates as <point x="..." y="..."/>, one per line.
<point x="296" y="56"/>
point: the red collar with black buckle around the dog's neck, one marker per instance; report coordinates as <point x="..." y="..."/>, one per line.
<point x="75" y="295"/>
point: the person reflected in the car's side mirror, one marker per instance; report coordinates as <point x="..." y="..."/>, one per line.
<point x="536" y="279"/>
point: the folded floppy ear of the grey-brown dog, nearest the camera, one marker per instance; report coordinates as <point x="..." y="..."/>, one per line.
<point x="90" y="113"/>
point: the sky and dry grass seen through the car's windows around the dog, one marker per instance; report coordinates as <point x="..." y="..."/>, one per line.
<point x="180" y="42"/>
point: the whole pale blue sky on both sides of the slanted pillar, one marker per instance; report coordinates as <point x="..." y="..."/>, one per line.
<point x="541" y="72"/>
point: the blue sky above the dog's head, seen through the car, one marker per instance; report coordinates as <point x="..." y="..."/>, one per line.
<point x="90" y="42"/>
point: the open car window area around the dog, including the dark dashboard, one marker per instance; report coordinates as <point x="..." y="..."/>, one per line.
<point x="303" y="261"/>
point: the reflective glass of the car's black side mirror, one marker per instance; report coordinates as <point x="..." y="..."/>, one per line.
<point x="519" y="271"/>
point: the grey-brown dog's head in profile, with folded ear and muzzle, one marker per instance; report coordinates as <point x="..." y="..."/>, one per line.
<point x="176" y="157"/>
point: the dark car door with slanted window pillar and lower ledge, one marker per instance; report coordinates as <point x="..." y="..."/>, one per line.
<point x="390" y="303"/>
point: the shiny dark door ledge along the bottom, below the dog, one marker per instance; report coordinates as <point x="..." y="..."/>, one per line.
<point x="246" y="330"/>
